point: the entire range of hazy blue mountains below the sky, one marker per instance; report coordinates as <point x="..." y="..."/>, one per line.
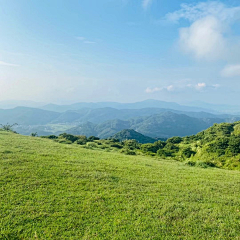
<point x="155" y="119"/>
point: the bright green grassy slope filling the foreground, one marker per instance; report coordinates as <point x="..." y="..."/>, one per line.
<point x="55" y="191"/>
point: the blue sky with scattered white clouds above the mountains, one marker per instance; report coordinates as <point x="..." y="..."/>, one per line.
<point x="65" y="51"/>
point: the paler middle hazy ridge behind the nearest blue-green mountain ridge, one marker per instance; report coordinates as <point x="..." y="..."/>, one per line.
<point x="35" y="116"/>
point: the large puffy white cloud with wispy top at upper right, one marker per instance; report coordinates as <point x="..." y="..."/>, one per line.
<point x="206" y="37"/>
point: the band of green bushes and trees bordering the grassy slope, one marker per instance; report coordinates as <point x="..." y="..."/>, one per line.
<point x="218" y="146"/>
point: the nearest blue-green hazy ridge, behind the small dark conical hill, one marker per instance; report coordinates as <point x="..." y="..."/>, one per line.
<point x="163" y="125"/>
